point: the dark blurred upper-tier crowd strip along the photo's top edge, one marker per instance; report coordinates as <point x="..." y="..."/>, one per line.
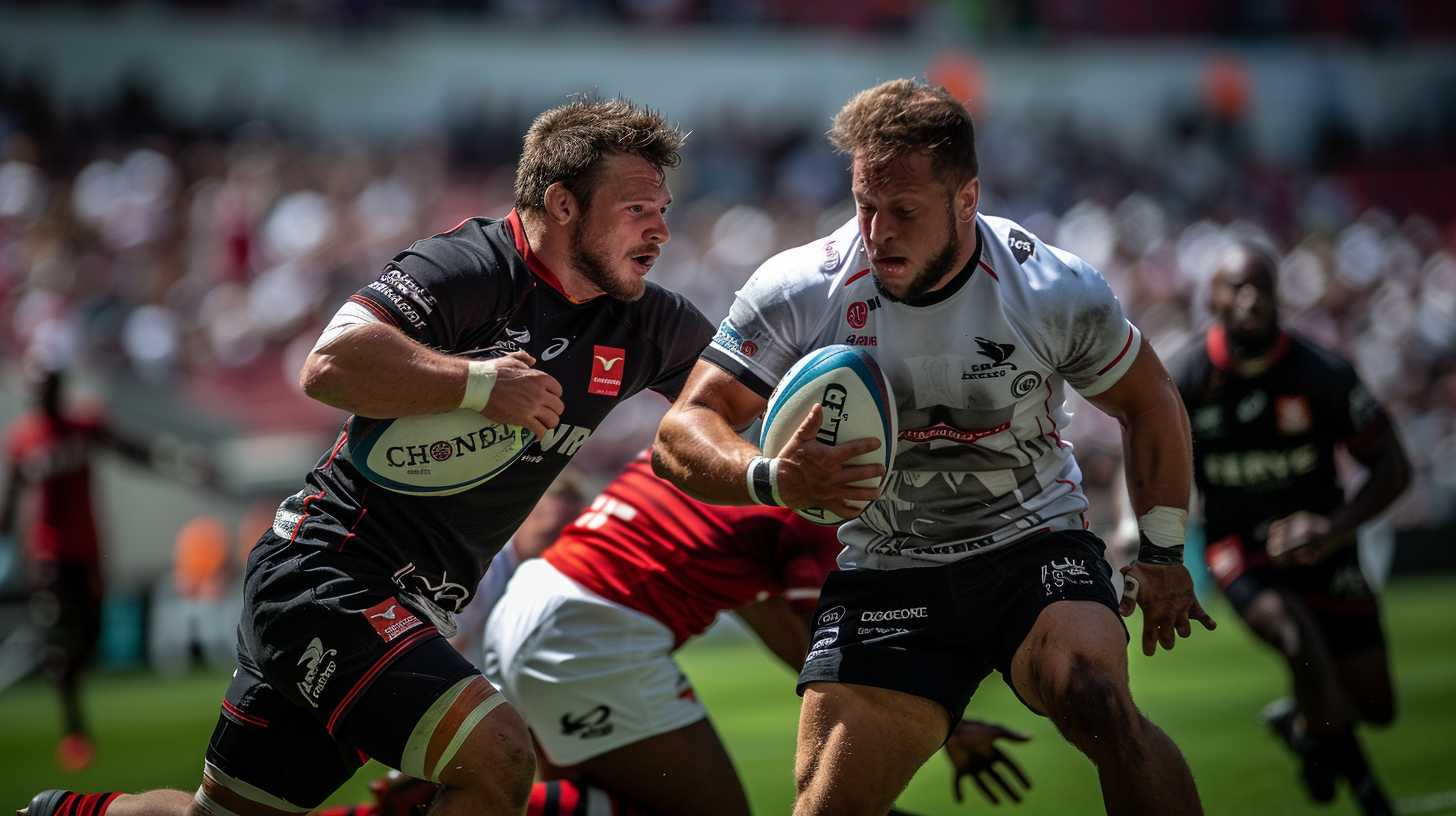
<point x="1375" y="23"/>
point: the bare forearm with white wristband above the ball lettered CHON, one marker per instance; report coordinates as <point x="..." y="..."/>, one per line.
<point x="375" y="371"/>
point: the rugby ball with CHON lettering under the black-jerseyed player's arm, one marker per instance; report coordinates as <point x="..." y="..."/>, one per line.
<point x="435" y="454"/>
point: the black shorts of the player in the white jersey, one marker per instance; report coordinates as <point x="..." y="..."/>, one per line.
<point x="938" y="632"/>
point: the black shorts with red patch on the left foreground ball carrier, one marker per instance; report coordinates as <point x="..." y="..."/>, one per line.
<point x="333" y="671"/>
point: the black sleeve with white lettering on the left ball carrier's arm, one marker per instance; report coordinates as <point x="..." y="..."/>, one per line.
<point x="439" y="292"/>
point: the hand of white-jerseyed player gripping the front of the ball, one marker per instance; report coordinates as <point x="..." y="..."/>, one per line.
<point x="813" y="474"/>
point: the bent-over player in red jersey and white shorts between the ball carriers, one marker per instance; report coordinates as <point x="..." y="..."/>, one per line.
<point x="583" y="646"/>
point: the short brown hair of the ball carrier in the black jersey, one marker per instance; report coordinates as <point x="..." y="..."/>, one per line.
<point x="566" y="145"/>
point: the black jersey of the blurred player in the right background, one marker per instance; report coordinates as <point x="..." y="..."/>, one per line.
<point x="1265" y="447"/>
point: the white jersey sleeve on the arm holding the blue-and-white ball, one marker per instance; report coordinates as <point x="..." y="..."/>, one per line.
<point x="767" y="331"/>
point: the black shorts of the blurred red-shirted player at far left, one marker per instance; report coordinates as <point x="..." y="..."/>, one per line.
<point x="66" y="604"/>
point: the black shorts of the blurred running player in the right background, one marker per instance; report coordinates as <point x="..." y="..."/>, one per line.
<point x="1334" y="591"/>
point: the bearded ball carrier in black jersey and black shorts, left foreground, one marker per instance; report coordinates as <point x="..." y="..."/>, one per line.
<point x="539" y="320"/>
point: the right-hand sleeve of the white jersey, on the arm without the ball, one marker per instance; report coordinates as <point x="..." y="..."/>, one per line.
<point x="1080" y="327"/>
